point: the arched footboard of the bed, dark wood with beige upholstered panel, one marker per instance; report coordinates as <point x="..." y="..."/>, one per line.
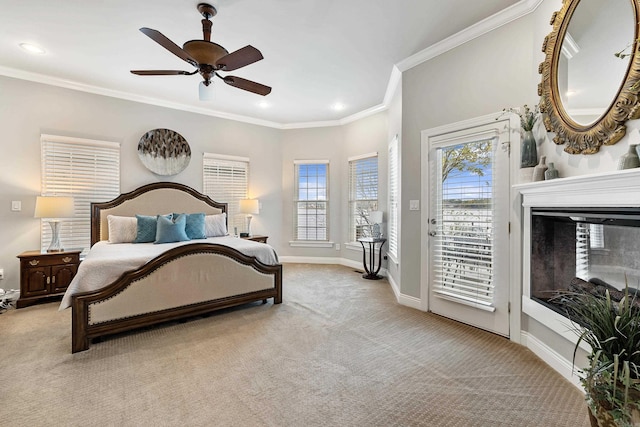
<point x="185" y="281"/>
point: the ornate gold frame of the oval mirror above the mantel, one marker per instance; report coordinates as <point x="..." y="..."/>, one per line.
<point x="610" y="127"/>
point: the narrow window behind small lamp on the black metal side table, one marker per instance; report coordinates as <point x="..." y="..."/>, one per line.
<point x="363" y="193"/>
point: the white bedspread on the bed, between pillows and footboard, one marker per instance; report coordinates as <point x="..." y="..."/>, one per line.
<point x="106" y="261"/>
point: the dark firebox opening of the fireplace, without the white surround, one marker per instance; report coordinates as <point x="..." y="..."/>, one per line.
<point x="583" y="250"/>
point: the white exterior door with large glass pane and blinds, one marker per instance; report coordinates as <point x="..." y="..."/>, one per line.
<point x="468" y="226"/>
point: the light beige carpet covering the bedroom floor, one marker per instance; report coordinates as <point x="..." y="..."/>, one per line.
<point x="339" y="351"/>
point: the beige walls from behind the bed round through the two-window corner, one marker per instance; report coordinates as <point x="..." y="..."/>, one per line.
<point x="29" y="109"/>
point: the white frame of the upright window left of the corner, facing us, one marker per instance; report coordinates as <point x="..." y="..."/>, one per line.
<point x="297" y="241"/>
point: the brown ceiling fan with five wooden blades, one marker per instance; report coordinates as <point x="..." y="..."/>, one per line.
<point x="208" y="57"/>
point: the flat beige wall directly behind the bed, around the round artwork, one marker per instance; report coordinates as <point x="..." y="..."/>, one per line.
<point x="28" y="109"/>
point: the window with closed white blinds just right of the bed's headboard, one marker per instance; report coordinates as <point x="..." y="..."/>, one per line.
<point x="226" y="180"/>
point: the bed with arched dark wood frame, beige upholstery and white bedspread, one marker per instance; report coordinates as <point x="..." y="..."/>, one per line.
<point x="116" y="290"/>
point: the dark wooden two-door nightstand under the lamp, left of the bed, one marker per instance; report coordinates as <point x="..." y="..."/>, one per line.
<point x="45" y="274"/>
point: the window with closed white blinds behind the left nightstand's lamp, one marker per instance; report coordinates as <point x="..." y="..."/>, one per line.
<point x="88" y="171"/>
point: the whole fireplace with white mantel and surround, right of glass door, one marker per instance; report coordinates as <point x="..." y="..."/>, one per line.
<point x="585" y="227"/>
